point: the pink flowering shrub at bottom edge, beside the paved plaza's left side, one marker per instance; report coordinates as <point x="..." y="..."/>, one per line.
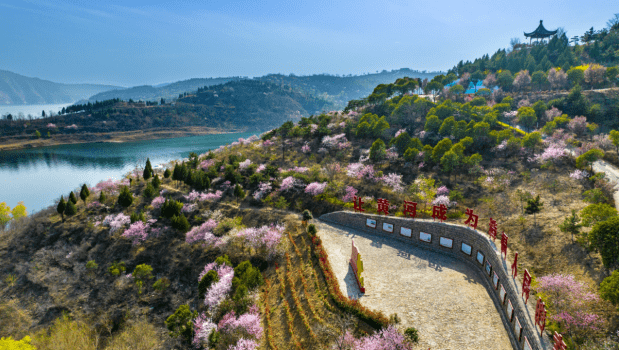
<point x="388" y="338"/>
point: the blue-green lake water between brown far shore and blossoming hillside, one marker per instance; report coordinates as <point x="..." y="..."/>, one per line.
<point x="39" y="176"/>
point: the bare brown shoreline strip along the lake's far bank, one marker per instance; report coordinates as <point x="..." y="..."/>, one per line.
<point x="110" y="137"/>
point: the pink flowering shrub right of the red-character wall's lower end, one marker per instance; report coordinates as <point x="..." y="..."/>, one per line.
<point x="571" y="303"/>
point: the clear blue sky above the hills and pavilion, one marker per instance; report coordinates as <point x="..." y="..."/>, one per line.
<point x="149" y="42"/>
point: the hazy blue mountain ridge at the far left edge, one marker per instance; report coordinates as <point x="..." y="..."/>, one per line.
<point x="16" y="89"/>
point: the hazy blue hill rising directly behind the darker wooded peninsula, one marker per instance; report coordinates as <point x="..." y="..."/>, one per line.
<point x="167" y="92"/>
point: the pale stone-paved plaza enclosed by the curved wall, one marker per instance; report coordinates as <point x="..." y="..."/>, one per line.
<point x="441" y="297"/>
